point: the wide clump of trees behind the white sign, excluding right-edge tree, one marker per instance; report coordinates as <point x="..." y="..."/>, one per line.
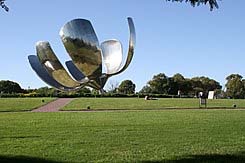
<point x="179" y="85"/>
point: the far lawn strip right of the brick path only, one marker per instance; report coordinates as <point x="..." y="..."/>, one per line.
<point x="140" y="103"/>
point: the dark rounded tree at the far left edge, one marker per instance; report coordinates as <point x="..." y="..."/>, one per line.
<point x="7" y="86"/>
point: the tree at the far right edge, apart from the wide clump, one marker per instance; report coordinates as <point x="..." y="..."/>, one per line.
<point x="235" y="86"/>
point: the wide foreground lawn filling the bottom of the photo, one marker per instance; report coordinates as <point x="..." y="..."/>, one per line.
<point x="123" y="136"/>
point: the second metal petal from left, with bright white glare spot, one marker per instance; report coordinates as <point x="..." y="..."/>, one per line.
<point x="53" y="66"/>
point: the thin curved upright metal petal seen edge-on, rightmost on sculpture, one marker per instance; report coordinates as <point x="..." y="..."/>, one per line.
<point x="132" y="42"/>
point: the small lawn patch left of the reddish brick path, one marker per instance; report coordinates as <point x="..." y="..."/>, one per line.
<point x="22" y="104"/>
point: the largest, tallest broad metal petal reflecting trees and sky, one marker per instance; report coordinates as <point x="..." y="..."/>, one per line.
<point x="82" y="45"/>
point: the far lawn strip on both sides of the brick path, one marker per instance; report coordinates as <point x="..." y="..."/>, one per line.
<point x="27" y="104"/>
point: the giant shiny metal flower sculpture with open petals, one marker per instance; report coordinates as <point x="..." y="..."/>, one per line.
<point x="81" y="43"/>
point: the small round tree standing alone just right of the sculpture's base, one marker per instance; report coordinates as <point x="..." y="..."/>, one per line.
<point x="126" y="87"/>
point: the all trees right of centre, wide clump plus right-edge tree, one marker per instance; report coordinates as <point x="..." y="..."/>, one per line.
<point x="179" y="85"/>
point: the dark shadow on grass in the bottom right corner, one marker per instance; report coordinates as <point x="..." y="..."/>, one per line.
<point x="212" y="158"/>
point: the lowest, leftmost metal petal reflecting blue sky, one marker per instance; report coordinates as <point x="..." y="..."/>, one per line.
<point x="43" y="74"/>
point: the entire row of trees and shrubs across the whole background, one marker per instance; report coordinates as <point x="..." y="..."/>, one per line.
<point x="160" y="84"/>
